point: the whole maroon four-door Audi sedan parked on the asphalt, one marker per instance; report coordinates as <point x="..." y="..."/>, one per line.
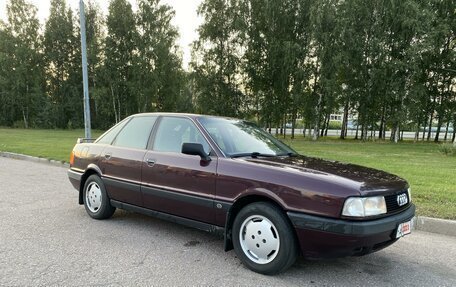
<point x="228" y="175"/>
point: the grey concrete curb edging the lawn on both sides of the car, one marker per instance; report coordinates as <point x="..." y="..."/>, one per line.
<point x="422" y="223"/>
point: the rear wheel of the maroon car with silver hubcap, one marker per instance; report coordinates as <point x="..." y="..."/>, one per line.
<point x="96" y="200"/>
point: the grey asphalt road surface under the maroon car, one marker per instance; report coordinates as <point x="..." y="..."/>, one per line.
<point x="46" y="238"/>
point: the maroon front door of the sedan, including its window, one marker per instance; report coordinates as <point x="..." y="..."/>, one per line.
<point x="177" y="183"/>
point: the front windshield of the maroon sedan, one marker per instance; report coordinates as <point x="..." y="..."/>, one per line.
<point x="240" y="138"/>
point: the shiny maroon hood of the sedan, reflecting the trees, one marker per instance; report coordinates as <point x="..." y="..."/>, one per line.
<point x="369" y="181"/>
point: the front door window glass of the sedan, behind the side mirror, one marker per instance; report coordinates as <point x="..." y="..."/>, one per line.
<point x="173" y="132"/>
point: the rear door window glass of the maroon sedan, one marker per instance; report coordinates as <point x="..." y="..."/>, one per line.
<point x="136" y="133"/>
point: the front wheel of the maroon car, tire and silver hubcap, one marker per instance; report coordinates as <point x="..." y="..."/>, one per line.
<point x="263" y="238"/>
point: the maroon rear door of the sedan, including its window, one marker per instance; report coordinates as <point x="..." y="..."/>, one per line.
<point x="121" y="161"/>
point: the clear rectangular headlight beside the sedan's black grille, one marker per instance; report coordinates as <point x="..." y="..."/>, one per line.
<point x="364" y="206"/>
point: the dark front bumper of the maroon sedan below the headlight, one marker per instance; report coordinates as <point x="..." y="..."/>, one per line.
<point x="321" y="237"/>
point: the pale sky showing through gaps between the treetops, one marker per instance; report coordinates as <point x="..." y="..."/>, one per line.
<point x="186" y="19"/>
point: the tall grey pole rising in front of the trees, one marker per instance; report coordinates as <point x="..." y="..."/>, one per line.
<point x="85" y="79"/>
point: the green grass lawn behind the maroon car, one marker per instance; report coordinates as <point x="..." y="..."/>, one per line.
<point x="431" y="174"/>
